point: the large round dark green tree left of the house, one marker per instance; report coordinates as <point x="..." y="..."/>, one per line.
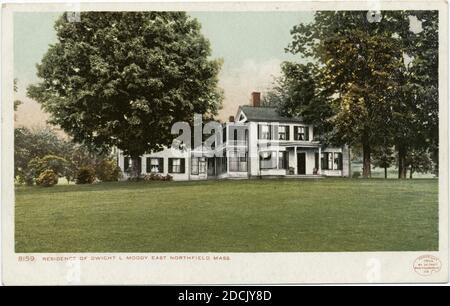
<point x="123" y="78"/>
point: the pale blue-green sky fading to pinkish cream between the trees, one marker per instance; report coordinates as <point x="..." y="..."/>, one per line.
<point x="251" y="45"/>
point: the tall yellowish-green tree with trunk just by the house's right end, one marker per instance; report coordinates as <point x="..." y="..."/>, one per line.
<point x="358" y="61"/>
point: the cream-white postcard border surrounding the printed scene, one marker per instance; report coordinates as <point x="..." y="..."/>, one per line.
<point x="243" y="268"/>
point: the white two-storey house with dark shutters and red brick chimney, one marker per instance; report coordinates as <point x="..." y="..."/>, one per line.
<point x="259" y="143"/>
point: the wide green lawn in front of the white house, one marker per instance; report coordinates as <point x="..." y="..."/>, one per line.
<point x="230" y="216"/>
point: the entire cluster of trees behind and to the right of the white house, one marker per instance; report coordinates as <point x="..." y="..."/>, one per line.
<point x="370" y="81"/>
